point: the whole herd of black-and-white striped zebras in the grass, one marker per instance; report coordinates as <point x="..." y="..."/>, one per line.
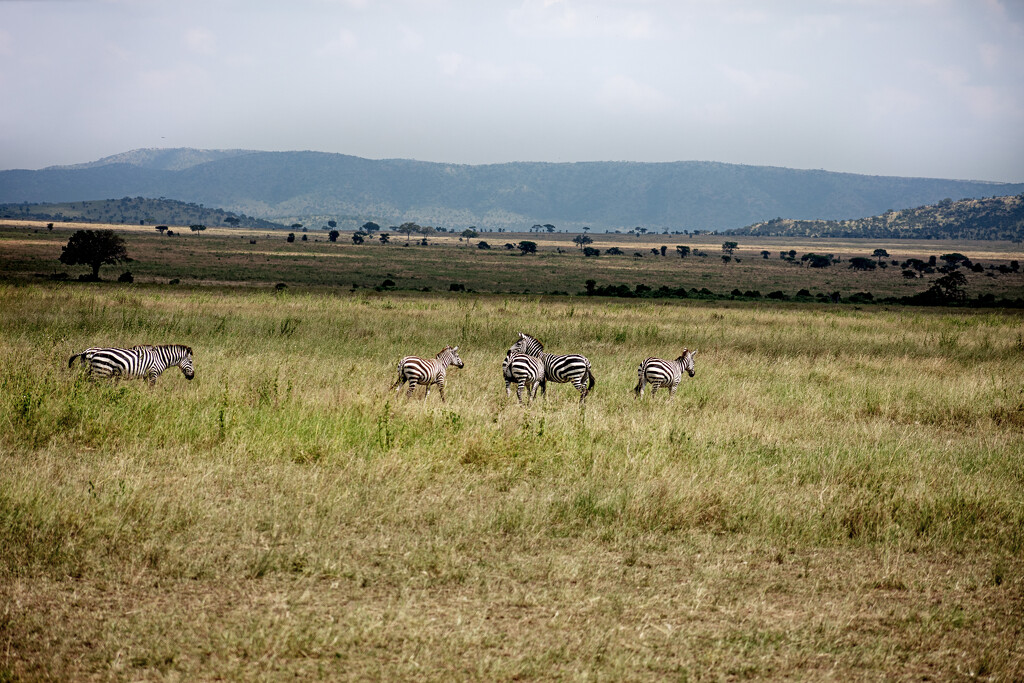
<point x="527" y="365"/>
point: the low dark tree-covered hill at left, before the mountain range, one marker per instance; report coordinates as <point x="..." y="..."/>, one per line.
<point x="134" y="211"/>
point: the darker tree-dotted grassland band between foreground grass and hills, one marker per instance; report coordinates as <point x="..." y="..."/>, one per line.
<point x="222" y="257"/>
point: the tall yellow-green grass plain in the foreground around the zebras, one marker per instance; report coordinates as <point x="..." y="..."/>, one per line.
<point x="838" y="494"/>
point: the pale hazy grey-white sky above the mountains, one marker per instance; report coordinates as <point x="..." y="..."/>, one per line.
<point x="889" y="88"/>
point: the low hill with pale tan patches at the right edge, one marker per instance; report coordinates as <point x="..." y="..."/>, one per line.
<point x="994" y="219"/>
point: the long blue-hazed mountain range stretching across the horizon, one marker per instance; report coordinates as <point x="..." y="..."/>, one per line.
<point x="312" y="188"/>
